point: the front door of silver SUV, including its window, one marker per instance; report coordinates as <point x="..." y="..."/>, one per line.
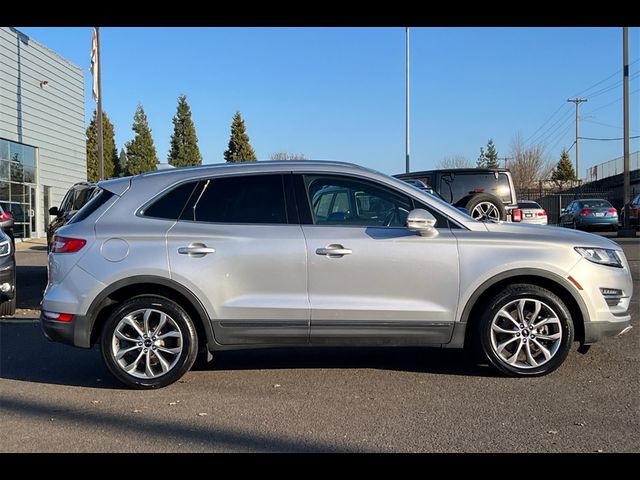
<point x="370" y="279"/>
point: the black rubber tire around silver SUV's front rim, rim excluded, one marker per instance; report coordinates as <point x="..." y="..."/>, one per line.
<point x="534" y="292"/>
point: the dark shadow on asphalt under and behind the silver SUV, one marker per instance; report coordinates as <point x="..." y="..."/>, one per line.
<point x="26" y="355"/>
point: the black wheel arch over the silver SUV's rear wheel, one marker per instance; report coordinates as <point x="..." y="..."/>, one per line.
<point x="137" y="285"/>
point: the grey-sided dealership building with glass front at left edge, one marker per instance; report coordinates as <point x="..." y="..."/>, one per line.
<point x="42" y="130"/>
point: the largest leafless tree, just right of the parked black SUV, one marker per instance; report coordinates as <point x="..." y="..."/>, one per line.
<point x="528" y="165"/>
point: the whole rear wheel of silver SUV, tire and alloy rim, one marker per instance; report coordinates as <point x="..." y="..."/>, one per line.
<point x="145" y="363"/>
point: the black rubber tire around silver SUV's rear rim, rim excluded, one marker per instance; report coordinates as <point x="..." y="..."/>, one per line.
<point x="182" y="319"/>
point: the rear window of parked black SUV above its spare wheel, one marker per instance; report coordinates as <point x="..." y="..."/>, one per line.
<point x="455" y="187"/>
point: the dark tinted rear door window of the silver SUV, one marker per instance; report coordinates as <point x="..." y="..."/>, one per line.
<point x="246" y="199"/>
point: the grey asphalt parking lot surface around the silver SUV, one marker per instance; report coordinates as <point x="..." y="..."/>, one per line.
<point x="56" y="398"/>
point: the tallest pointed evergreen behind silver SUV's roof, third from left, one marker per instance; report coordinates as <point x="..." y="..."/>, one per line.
<point x="184" y="149"/>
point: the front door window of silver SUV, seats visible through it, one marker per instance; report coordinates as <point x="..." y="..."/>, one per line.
<point x="349" y="201"/>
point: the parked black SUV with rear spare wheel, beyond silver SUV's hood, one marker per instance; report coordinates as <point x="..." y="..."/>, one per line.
<point x="487" y="193"/>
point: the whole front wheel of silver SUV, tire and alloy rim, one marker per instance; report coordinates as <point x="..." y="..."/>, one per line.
<point x="521" y="353"/>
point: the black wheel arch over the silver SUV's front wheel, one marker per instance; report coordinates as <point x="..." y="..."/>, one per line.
<point x="542" y="278"/>
